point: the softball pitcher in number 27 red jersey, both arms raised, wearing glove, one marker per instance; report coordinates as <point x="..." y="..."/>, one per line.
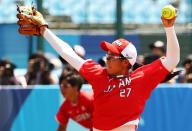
<point x="119" y="96"/>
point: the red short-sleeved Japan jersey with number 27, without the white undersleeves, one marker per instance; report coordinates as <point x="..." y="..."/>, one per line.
<point x="120" y="100"/>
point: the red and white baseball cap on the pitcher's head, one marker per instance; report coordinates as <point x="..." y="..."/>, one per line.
<point x="121" y="47"/>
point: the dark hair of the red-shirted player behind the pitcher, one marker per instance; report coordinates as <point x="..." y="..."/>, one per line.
<point x="73" y="79"/>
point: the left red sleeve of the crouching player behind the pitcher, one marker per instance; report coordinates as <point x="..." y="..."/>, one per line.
<point x="62" y="116"/>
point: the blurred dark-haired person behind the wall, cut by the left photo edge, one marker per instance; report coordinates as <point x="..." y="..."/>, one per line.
<point x="7" y="76"/>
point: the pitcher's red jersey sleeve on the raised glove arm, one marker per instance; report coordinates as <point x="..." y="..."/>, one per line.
<point x="91" y="71"/>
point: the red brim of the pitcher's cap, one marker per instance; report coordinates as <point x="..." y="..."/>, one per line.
<point x="106" y="46"/>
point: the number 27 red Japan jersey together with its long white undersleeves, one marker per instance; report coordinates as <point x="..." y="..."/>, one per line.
<point x="119" y="101"/>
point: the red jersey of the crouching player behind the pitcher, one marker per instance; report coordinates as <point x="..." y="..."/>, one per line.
<point x="81" y="112"/>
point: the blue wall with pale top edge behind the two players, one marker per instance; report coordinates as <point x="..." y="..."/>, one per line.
<point x="168" y="109"/>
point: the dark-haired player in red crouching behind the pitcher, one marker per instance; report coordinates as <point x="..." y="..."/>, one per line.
<point x="77" y="105"/>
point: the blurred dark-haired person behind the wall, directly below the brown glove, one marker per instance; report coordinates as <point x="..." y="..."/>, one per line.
<point x="39" y="70"/>
